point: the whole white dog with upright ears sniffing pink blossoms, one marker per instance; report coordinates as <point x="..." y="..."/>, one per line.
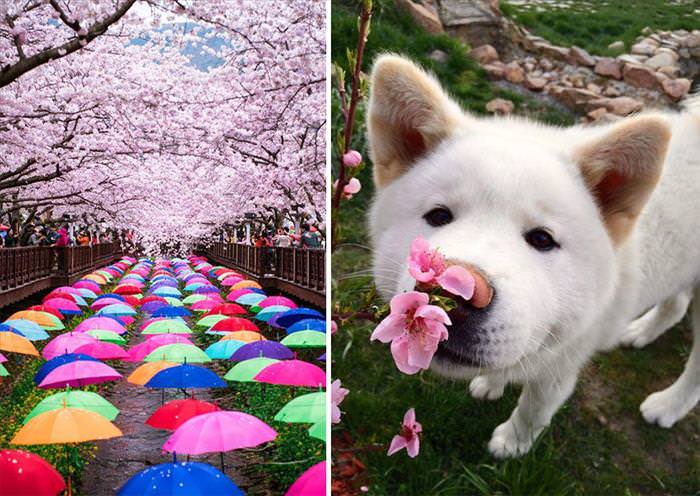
<point x="578" y="231"/>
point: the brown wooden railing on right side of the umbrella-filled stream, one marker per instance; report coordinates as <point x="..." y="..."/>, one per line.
<point x="301" y="272"/>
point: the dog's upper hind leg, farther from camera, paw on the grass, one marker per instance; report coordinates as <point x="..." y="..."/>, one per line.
<point x="656" y="321"/>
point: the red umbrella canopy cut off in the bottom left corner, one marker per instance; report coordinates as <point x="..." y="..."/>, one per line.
<point x="22" y="472"/>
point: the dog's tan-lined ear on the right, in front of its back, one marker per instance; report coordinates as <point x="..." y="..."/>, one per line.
<point x="622" y="168"/>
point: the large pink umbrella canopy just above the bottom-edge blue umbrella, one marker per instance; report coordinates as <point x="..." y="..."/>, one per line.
<point x="218" y="432"/>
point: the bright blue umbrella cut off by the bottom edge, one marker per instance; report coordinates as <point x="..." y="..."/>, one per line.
<point x="180" y="479"/>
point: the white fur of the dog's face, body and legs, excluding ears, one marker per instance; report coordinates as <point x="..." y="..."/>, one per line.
<point x="554" y="310"/>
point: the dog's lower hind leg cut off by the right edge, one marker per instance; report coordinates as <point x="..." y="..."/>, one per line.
<point x="673" y="403"/>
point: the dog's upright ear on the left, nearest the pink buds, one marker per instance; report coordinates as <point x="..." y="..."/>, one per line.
<point x="409" y="114"/>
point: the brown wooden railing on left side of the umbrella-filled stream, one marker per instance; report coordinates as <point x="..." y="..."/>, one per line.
<point x="27" y="270"/>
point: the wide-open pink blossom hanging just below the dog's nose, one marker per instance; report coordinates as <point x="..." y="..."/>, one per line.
<point x="414" y="330"/>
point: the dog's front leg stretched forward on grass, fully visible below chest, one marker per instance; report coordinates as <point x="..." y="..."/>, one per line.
<point x="539" y="401"/>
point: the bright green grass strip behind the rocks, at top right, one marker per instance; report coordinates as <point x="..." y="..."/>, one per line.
<point x="594" y="24"/>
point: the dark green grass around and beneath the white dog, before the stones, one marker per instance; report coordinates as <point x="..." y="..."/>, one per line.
<point x="598" y="442"/>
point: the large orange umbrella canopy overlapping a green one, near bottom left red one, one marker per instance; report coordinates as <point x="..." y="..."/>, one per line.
<point x="65" y="425"/>
